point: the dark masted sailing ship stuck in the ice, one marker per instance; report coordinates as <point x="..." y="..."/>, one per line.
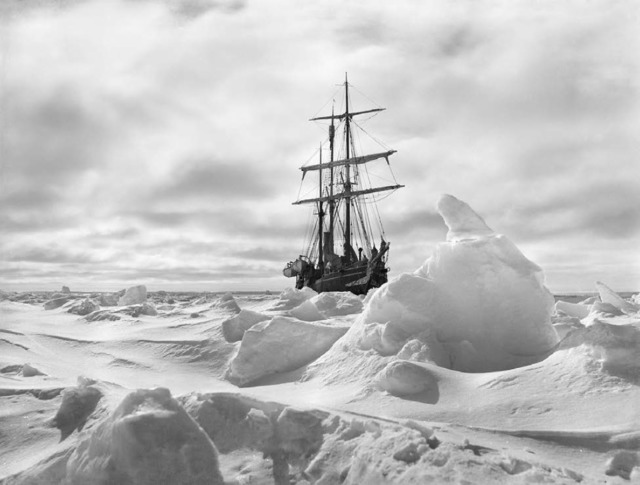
<point x="341" y="253"/>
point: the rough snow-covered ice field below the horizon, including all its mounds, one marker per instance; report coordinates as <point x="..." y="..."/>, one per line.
<point x="465" y="371"/>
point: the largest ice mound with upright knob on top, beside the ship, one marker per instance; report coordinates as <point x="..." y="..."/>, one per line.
<point x="476" y="305"/>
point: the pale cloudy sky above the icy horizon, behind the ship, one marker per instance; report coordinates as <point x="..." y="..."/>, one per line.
<point x="158" y="142"/>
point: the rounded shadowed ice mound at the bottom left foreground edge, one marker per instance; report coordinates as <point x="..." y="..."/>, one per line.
<point x="148" y="439"/>
